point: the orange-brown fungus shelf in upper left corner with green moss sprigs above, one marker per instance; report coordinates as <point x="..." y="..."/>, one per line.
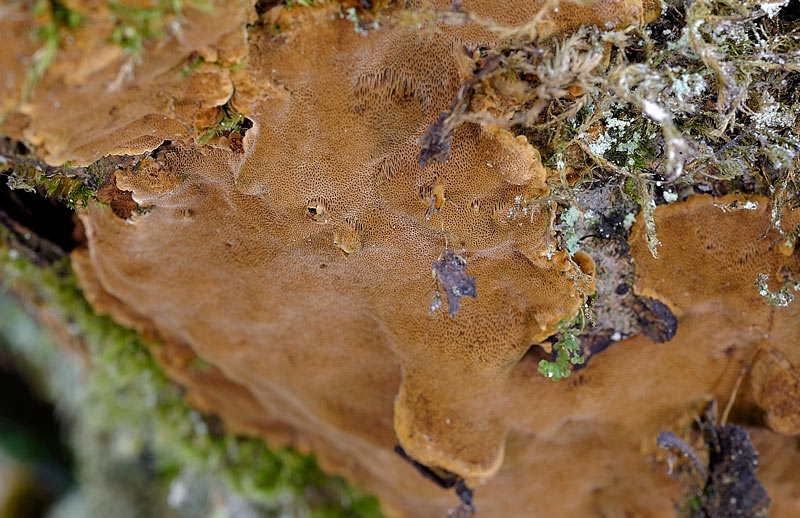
<point x="95" y="99"/>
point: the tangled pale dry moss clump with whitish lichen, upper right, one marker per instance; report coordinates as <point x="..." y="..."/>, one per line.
<point x="703" y="99"/>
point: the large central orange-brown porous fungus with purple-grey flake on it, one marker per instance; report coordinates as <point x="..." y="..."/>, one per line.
<point x="259" y="236"/>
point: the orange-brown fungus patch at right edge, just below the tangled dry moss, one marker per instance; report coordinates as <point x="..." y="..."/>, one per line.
<point x="713" y="256"/>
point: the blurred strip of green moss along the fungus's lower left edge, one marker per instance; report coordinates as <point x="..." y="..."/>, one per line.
<point x="127" y="395"/>
